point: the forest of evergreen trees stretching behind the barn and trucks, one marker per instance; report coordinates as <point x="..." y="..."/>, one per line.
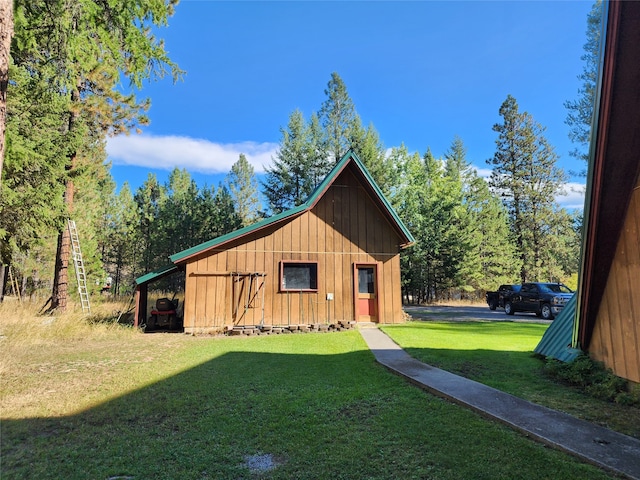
<point x="472" y="234"/>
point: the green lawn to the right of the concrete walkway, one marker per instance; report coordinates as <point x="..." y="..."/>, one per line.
<point x="500" y="354"/>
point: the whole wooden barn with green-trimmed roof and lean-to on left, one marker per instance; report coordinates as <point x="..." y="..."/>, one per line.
<point x="334" y="258"/>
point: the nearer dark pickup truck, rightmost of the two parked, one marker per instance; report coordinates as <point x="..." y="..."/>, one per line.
<point x="546" y="300"/>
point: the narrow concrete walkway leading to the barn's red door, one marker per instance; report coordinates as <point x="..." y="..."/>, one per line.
<point x="597" y="445"/>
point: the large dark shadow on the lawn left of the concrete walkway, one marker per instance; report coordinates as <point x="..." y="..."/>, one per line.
<point x="319" y="416"/>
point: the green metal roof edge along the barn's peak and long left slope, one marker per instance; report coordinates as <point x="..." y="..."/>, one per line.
<point x="311" y="201"/>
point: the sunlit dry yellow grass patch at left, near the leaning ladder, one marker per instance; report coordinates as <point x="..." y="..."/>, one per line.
<point x="60" y="364"/>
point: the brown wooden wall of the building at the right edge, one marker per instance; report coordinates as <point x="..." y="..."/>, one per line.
<point x="616" y="335"/>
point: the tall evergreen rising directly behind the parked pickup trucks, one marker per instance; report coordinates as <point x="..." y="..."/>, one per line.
<point x="525" y="175"/>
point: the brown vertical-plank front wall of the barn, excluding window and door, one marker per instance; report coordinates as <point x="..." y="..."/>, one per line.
<point x="345" y="227"/>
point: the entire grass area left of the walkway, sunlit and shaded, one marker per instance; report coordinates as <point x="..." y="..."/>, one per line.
<point x="98" y="401"/>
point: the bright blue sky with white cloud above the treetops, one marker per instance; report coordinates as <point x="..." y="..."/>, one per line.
<point x="420" y="71"/>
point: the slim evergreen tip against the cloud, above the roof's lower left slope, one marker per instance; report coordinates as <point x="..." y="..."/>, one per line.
<point x="243" y="187"/>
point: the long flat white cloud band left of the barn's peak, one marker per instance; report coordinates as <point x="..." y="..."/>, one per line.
<point x="193" y="154"/>
